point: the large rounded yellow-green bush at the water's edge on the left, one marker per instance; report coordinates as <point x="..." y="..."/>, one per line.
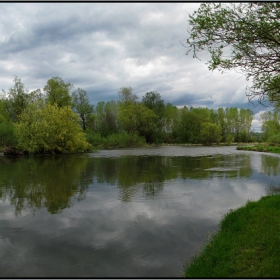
<point x="49" y="129"/>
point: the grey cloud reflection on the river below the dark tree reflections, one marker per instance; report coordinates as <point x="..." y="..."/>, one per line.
<point x="102" y="236"/>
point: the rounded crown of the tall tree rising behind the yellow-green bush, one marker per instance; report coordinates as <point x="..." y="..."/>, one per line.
<point x="58" y="92"/>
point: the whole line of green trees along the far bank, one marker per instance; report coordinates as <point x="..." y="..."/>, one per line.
<point x="62" y="119"/>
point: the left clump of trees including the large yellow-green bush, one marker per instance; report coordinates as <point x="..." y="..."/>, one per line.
<point x="41" y="123"/>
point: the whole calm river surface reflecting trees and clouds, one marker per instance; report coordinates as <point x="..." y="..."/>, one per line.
<point x="121" y="213"/>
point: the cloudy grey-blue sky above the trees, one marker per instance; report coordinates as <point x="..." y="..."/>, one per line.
<point x="102" y="47"/>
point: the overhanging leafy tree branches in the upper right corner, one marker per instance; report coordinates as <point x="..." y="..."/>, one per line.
<point x="241" y="36"/>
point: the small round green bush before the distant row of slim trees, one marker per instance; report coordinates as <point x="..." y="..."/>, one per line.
<point x="210" y="133"/>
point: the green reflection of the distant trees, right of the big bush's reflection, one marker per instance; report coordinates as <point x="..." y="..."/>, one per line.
<point x="148" y="173"/>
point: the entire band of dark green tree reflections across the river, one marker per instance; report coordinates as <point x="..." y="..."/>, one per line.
<point x="55" y="181"/>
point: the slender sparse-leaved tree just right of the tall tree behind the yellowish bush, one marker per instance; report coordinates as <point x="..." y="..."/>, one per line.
<point x="81" y="105"/>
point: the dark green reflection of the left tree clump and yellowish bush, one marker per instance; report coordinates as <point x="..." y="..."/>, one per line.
<point x="43" y="181"/>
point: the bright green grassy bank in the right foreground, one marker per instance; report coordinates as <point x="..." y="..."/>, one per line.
<point x="247" y="244"/>
